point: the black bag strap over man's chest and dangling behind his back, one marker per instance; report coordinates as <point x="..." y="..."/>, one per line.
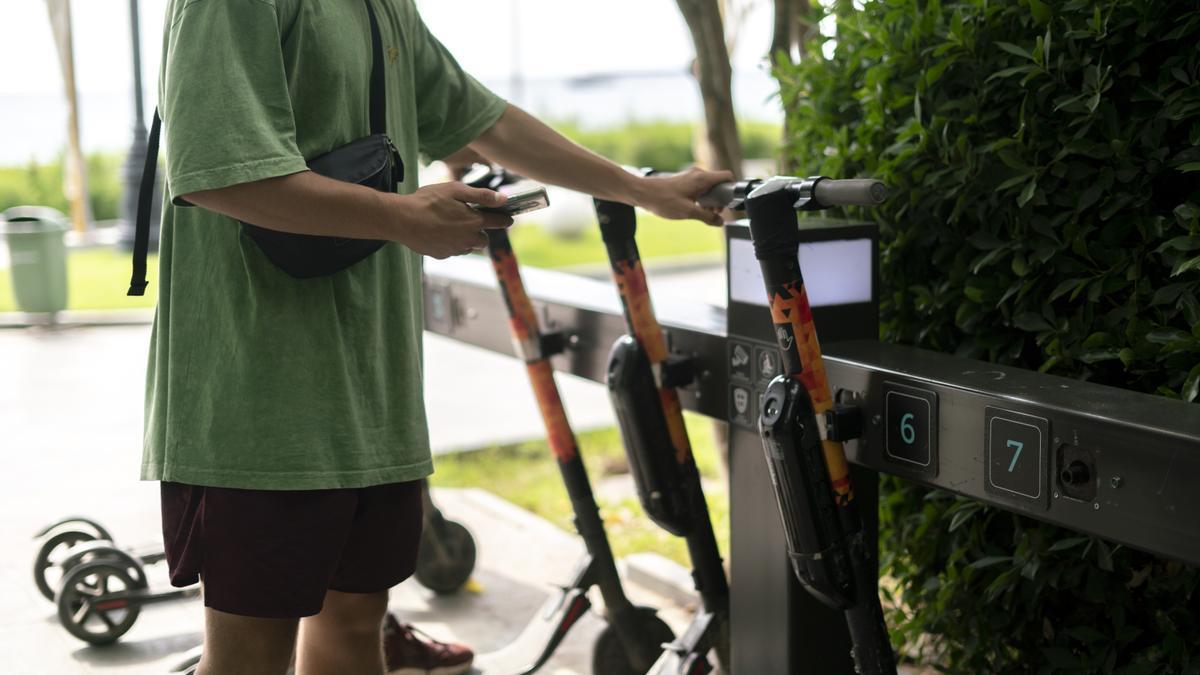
<point x="146" y="192"/>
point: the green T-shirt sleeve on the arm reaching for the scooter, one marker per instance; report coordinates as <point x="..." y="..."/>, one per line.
<point x="453" y="109"/>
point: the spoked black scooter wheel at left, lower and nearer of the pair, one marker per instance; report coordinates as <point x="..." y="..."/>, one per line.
<point x="81" y="618"/>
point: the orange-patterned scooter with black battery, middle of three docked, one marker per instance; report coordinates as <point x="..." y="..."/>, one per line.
<point x="643" y="380"/>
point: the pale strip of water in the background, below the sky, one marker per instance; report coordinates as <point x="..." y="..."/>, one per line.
<point x="35" y="126"/>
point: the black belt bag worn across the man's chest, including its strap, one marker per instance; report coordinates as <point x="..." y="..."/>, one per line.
<point x="371" y="162"/>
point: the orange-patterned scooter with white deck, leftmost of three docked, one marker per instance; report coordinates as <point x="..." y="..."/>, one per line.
<point x="633" y="640"/>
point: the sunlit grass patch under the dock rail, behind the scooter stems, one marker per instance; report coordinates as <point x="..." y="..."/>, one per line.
<point x="527" y="476"/>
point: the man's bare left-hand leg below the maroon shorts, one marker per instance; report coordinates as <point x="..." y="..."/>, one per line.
<point x="245" y="646"/>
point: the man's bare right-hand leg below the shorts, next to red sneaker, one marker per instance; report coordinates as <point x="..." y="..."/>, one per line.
<point x="346" y="637"/>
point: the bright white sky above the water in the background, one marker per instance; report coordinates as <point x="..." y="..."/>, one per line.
<point x="556" y="38"/>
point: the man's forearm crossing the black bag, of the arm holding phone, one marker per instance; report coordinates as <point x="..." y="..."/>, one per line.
<point x="305" y="204"/>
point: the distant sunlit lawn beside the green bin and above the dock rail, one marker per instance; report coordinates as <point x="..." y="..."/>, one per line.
<point x="99" y="278"/>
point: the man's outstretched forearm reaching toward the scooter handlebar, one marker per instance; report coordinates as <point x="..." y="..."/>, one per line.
<point x="527" y="146"/>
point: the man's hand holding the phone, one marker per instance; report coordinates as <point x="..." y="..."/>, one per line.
<point x="440" y="224"/>
